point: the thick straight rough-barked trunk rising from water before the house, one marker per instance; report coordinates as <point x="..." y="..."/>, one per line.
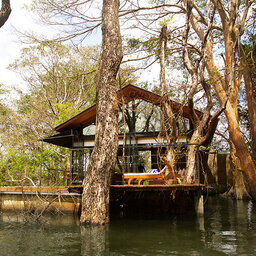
<point x="95" y="198"/>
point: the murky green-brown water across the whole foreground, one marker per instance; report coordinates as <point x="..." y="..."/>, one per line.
<point x="227" y="228"/>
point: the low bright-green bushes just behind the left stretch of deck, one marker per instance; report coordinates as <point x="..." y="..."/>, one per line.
<point x="17" y="165"/>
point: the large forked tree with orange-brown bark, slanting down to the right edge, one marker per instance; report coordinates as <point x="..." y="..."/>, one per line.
<point x="230" y="81"/>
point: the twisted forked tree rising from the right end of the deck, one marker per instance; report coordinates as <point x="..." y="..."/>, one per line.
<point x="205" y="125"/>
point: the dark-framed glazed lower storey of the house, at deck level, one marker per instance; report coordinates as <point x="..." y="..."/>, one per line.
<point x="136" y="159"/>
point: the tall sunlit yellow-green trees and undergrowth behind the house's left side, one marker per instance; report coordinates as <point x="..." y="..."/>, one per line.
<point x="61" y="83"/>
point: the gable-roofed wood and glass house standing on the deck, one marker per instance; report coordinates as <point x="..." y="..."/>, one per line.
<point x="141" y="136"/>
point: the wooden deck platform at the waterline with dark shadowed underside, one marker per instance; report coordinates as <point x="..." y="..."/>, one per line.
<point x="124" y="199"/>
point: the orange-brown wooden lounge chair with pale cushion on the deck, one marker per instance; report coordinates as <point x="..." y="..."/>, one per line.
<point x="144" y="176"/>
